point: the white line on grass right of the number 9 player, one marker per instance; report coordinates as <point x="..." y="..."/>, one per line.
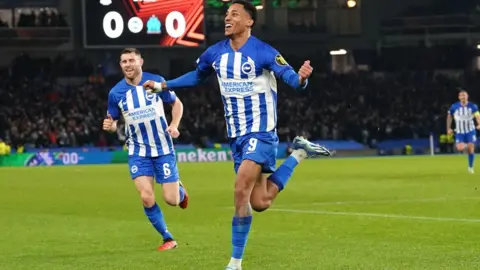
<point x="320" y="212"/>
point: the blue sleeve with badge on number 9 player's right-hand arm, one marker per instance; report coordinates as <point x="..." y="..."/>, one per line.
<point x="275" y="62"/>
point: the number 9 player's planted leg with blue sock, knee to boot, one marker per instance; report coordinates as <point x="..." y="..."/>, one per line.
<point x="247" y="175"/>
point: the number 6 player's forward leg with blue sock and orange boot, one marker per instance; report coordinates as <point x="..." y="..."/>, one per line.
<point x="145" y="187"/>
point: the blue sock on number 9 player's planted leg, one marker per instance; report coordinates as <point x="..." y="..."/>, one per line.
<point x="240" y="230"/>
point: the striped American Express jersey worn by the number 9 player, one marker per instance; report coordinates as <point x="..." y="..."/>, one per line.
<point x="247" y="83"/>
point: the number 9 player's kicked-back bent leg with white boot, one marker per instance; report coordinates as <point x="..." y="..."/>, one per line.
<point x="267" y="188"/>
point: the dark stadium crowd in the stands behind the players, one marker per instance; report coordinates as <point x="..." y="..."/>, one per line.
<point x="38" y="110"/>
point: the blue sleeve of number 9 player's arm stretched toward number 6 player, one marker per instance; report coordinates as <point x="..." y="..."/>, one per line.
<point x="199" y="76"/>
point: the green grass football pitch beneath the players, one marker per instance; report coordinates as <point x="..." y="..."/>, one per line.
<point x="358" y="213"/>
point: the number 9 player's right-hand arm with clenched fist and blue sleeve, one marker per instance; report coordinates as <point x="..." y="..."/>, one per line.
<point x="282" y="69"/>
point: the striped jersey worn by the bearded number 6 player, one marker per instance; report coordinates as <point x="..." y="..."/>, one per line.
<point x="145" y="121"/>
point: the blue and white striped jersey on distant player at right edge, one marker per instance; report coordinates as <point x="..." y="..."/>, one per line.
<point x="463" y="116"/>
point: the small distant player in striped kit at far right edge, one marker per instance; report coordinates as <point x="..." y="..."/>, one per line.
<point x="463" y="113"/>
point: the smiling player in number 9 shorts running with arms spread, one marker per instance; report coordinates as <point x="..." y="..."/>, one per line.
<point x="246" y="68"/>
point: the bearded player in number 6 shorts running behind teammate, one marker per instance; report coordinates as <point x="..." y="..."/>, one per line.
<point x="149" y="139"/>
